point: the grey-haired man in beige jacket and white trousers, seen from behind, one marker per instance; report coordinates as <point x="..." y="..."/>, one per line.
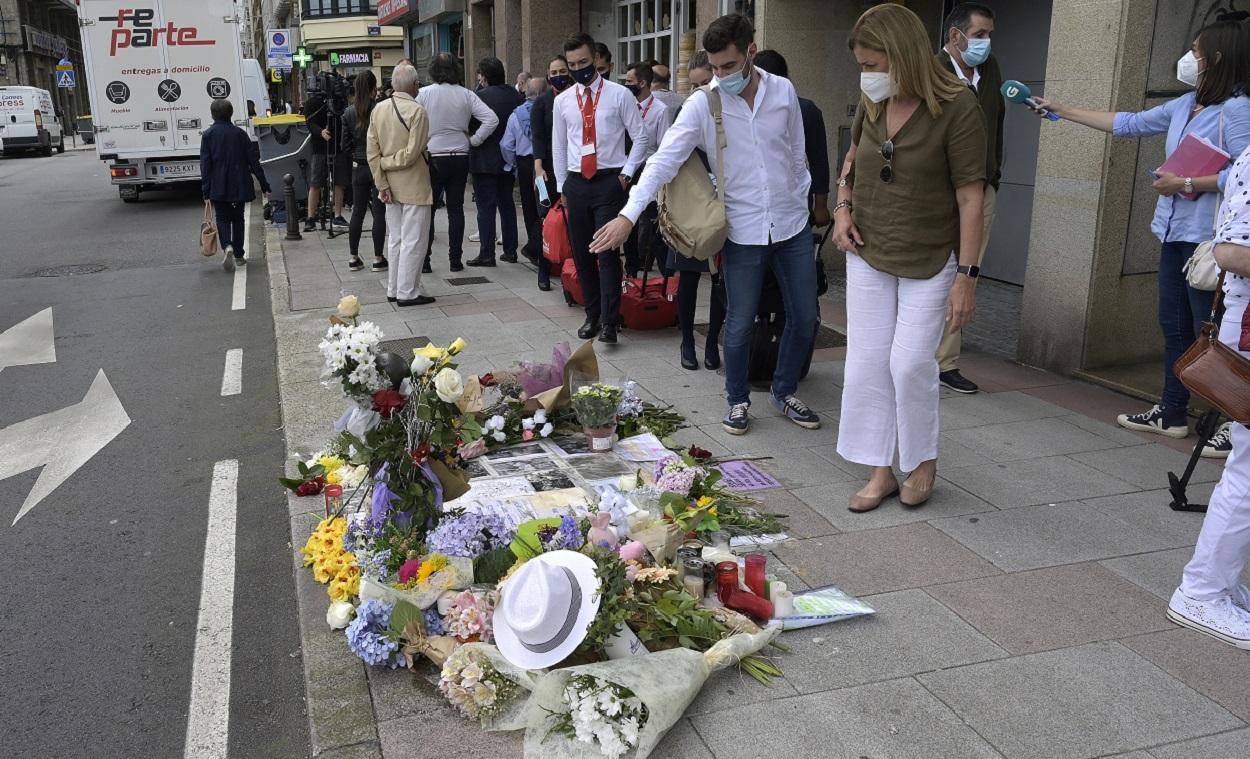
<point x="399" y="132"/>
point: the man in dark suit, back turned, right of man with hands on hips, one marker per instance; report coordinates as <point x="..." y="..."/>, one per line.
<point x="492" y="176"/>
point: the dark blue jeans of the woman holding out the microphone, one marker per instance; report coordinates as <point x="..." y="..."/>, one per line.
<point x="1182" y="313"/>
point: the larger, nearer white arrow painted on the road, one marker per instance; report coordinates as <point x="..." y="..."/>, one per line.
<point x="62" y="441"/>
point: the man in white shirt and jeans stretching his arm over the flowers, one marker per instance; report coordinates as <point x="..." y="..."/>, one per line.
<point x="766" y="188"/>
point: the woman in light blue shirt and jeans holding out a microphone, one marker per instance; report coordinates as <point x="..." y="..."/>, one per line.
<point x="1218" y="111"/>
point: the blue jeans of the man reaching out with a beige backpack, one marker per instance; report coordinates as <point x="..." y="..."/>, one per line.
<point x="743" y="272"/>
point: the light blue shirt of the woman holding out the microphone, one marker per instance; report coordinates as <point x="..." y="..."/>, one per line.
<point x="1179" y="219"/>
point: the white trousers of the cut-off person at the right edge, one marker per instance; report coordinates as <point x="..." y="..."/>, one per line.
<point x="1224" y="543"/>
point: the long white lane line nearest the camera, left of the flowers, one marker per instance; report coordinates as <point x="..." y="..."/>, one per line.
<point x="209" y="722"/>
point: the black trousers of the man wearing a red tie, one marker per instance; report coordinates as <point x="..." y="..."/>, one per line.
<point x="592" y="204"/>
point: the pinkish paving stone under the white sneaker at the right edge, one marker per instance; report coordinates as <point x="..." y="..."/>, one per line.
<point x="1216" y="670"/>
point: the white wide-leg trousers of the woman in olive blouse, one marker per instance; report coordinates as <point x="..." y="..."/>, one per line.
<point x="891" y="391"/>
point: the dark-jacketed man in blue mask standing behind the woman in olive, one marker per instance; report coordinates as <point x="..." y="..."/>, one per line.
<point x="967" y="53"/>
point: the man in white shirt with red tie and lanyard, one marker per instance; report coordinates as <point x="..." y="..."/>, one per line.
<point x="593" y="171"/>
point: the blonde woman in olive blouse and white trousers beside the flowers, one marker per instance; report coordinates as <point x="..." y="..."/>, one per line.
<point x="909" y="219"/>
